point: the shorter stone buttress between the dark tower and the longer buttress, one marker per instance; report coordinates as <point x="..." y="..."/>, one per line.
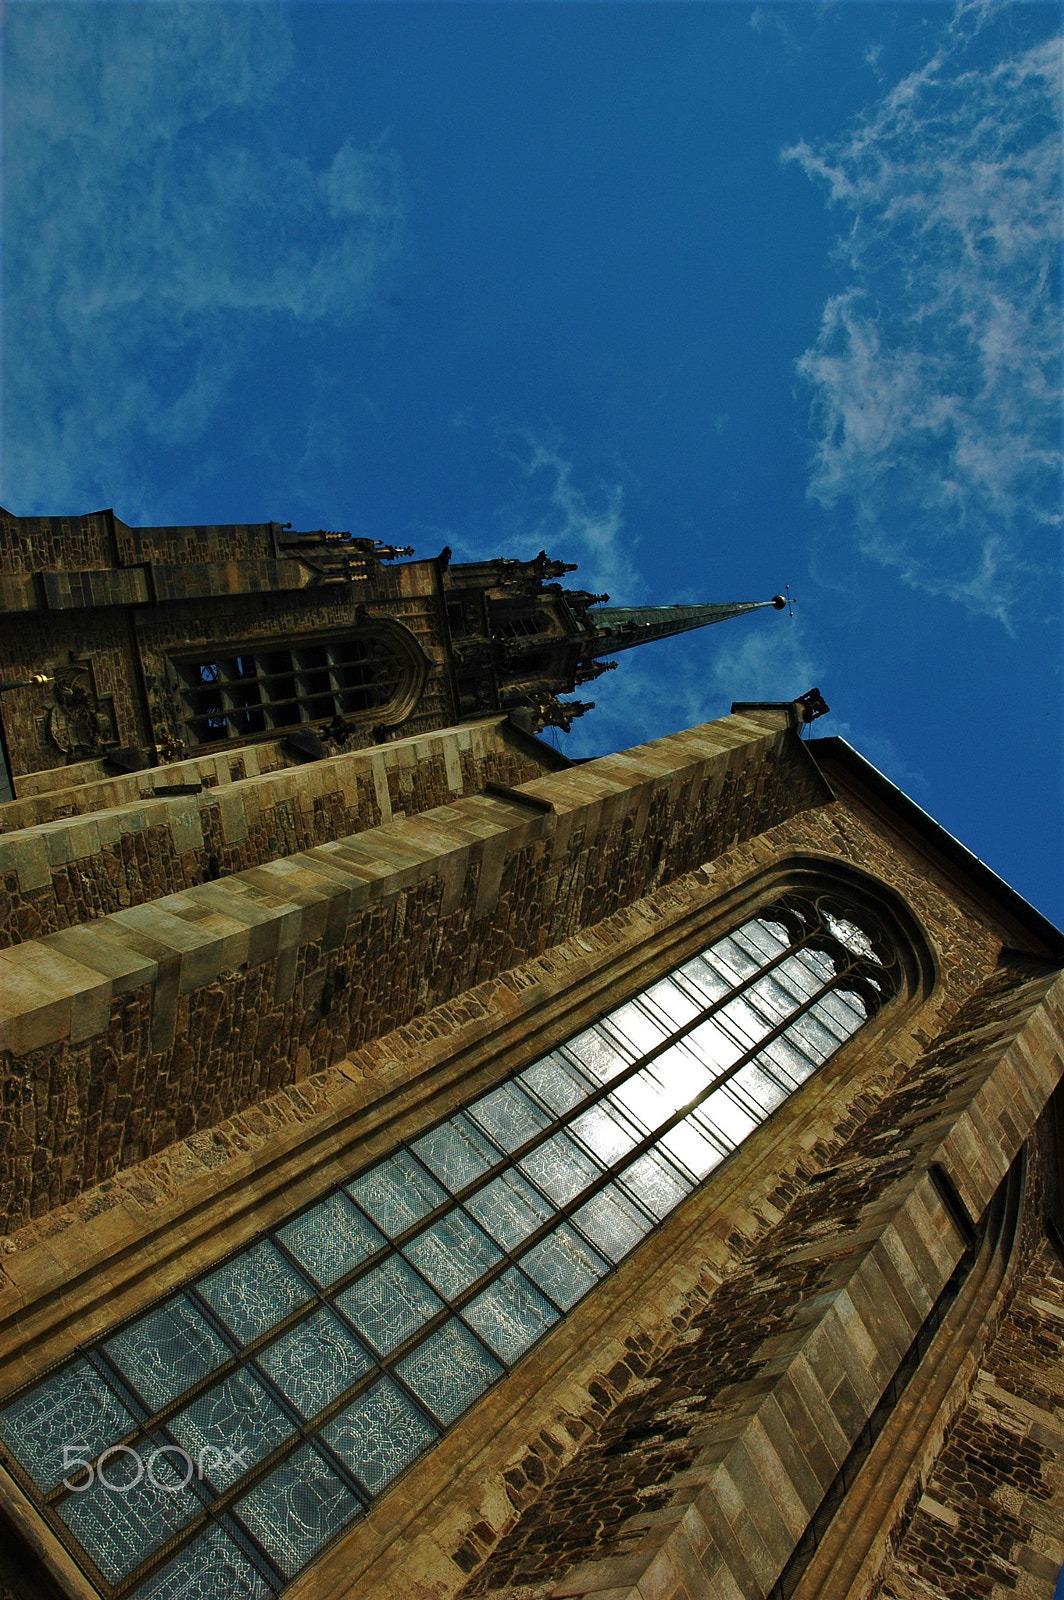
<point x="65" y="873"/>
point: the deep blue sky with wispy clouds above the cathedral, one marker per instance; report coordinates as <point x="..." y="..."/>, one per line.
<point x="708" y="298"/>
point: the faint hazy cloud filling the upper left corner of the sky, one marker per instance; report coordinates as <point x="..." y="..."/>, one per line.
<point x="156" y="225"/>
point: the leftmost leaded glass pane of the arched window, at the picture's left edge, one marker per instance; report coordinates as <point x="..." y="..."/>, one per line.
<point x="71" y="1409"/>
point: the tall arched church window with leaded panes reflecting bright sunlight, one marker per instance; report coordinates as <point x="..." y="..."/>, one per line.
<point x="218" y="1442"/>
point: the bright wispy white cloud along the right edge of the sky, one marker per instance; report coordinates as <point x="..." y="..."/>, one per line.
<point x="937" y="375"/>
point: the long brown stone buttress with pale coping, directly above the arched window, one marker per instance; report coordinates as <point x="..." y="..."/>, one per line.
<point x="132" y="1031"/>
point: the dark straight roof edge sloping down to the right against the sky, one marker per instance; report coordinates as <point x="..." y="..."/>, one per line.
<point x="836" y="753"/>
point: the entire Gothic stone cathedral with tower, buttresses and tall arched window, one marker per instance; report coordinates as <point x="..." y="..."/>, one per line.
<point x="434" y="1169"/>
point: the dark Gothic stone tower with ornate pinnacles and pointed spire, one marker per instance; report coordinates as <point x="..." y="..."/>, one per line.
<point x="129" y="647"/>
